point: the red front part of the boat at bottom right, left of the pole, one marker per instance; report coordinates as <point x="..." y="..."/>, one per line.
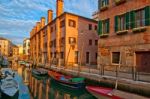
<point x="102" y="92"/>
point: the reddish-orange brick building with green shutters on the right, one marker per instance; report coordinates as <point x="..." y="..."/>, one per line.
<point x="124" y="30"/>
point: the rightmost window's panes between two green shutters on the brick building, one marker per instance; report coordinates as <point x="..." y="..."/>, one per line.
<point x="140" y="18"/>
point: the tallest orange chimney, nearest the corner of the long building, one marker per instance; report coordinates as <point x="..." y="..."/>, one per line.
<point x="59" y="9"/>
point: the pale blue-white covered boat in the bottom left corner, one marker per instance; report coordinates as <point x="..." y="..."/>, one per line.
<point x="9" y="88"/>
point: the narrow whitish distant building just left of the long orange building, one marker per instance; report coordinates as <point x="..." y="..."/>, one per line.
<point x="26" y="46"/>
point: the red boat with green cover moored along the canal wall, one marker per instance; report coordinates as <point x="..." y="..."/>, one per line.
<point x="75" y="83"/>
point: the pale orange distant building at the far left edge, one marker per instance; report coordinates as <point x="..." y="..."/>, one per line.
<point x="5" y="47"/>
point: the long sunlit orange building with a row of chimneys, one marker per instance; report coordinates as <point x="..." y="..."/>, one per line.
<point x="69" y="39"/>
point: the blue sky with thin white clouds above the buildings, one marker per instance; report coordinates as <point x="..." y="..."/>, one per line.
<point x="17" y="17"/>
